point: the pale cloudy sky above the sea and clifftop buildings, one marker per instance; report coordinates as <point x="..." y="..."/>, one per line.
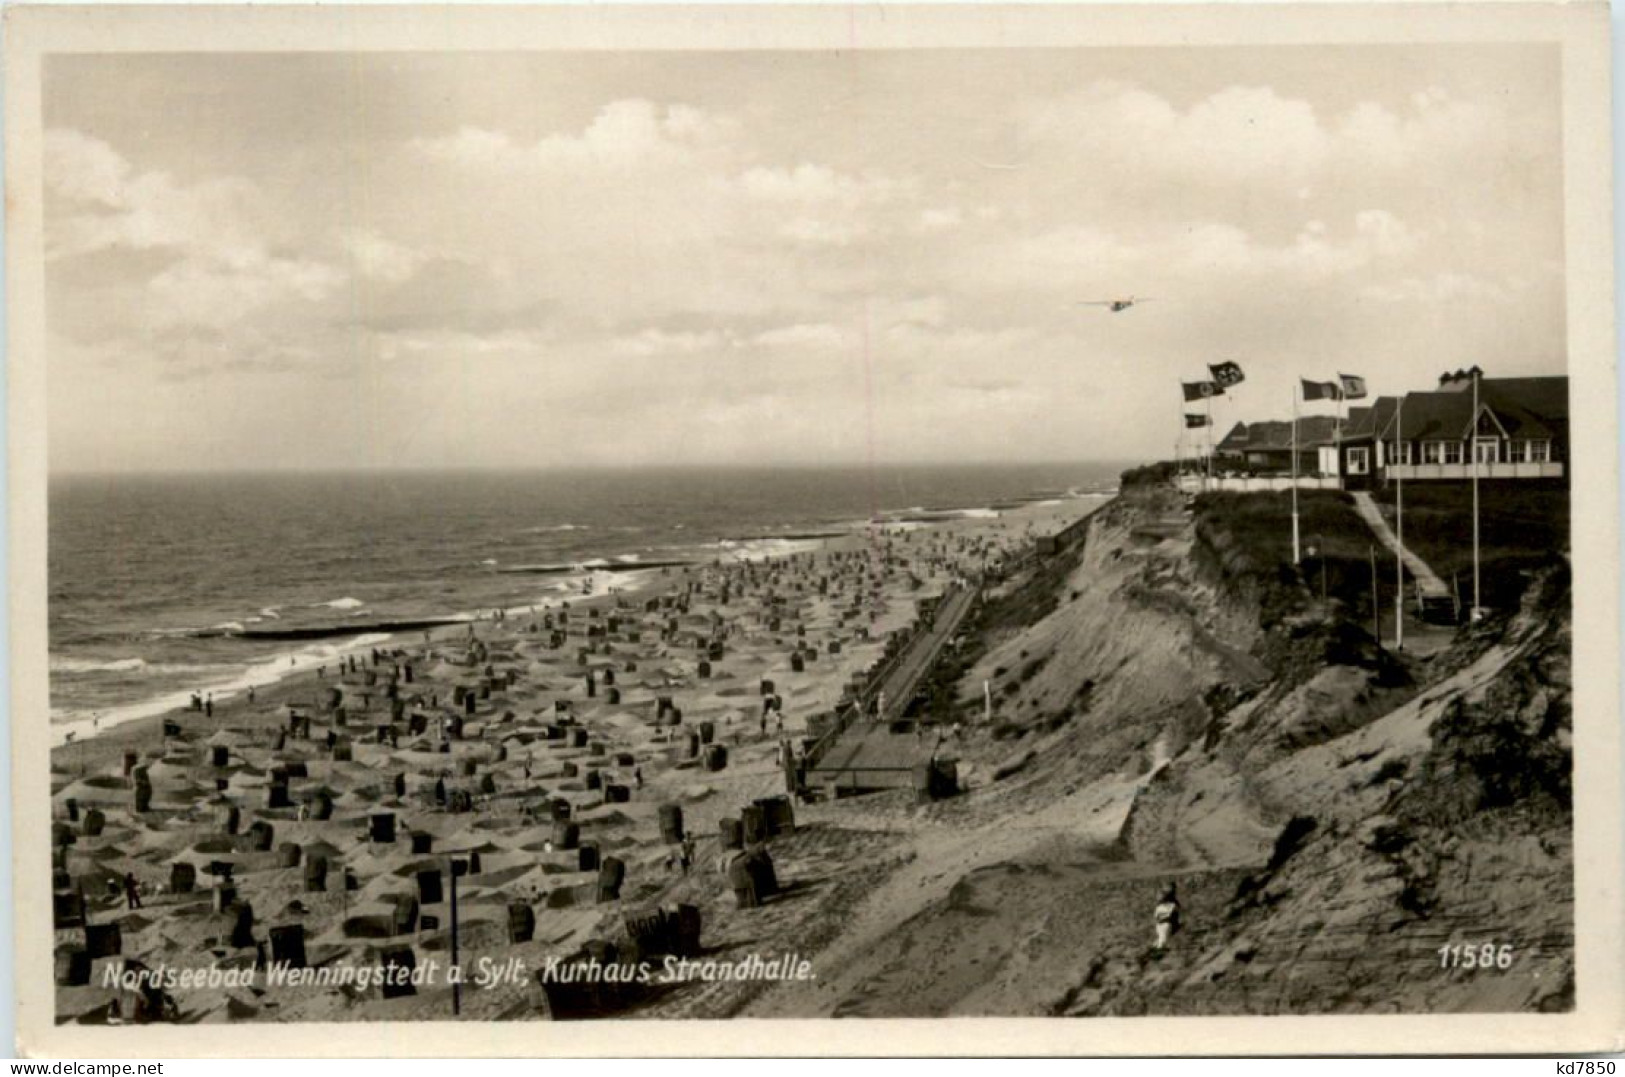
<point x="331" y="261"/>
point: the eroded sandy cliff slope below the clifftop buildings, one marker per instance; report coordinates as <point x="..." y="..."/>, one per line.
<point x="1169" y="711"/>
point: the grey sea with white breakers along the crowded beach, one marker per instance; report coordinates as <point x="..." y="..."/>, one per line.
<point x="163" y="586"/>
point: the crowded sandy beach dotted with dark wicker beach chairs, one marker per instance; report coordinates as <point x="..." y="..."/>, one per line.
<point x="560" y="755"/>
